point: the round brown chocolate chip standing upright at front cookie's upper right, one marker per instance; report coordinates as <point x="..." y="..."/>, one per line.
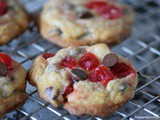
<point x="110" y="60"/>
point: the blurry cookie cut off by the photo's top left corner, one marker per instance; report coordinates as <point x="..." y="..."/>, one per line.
<point x="13" y="20"/>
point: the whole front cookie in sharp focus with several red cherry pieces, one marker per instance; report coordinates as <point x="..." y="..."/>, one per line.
<point x="88" y="80"/>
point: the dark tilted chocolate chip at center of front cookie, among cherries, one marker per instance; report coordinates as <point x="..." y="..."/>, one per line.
<point x="79" y="74"/>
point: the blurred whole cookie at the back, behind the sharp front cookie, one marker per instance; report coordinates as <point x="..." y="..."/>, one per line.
<point x="85" y="22"/>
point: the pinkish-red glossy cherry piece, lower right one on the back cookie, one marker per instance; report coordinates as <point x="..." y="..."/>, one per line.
<point x="111" y="12"/>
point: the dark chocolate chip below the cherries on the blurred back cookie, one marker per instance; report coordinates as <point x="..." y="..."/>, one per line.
<point x="85" y="15"/>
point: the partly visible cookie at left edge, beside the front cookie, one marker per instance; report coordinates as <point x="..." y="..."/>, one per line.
<point x="12" y="84"/>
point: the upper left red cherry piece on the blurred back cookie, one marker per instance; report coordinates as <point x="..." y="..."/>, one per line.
<point x="96" y="5"/>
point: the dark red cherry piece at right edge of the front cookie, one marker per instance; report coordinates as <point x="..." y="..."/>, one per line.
<point x="122" y="70"/>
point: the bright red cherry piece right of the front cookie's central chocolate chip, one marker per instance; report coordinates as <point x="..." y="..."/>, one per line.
<point x="101" y="74"/>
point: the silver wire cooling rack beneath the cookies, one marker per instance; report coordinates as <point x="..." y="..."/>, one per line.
<point x="142" y="48"/>
